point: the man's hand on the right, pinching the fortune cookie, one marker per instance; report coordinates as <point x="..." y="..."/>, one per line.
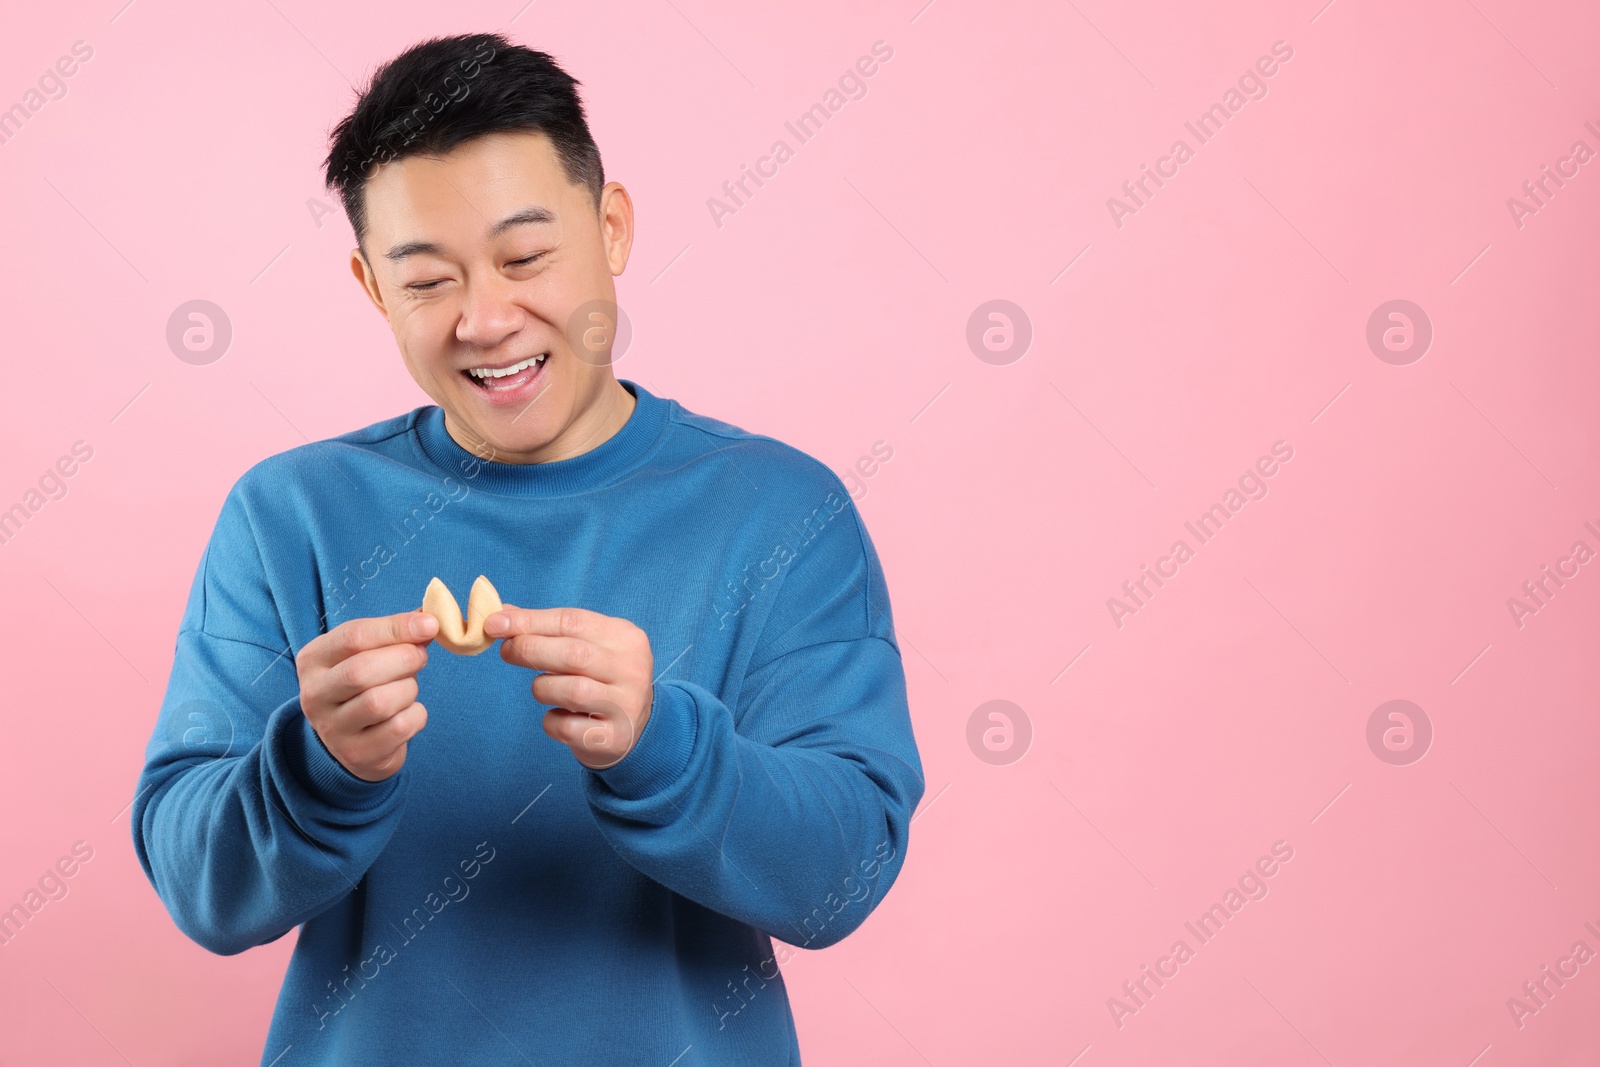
<point x="598" y="676"/>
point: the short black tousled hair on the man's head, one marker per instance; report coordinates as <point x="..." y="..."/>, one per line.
<point x="447" y="90"/>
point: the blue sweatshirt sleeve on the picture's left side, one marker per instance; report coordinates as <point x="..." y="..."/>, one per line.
<point x="242" y="820"/>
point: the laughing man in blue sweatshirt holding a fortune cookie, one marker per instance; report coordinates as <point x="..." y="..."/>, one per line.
<point x="718" y="748"/>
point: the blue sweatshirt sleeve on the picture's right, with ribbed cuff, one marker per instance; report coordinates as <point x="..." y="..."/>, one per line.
<point x="791" y="809"/>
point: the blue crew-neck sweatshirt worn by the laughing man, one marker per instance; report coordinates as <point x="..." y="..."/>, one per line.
<point x="495" y="901"/>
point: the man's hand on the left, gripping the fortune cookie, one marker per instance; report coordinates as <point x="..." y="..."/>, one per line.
<point x="359" y="690"/>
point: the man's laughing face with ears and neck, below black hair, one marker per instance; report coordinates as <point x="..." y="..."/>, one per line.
<point x="487" y="258"/>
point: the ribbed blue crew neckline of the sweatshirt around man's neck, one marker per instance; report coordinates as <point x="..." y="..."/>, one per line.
<point x="594" y="470"/>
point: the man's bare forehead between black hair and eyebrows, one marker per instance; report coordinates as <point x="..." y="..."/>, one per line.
<point x="466" y="190"/>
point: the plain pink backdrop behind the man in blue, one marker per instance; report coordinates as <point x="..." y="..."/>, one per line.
<point x="831" y="311"/>
